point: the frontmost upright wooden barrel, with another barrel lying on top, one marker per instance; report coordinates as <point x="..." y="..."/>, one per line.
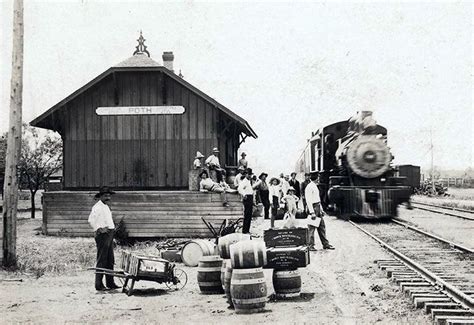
<point x="248" y="290"/>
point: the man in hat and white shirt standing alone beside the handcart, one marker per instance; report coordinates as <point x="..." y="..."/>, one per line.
<point x="102" y="223"/>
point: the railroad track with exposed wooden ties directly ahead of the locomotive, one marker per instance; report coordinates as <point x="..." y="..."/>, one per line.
<point x="437" y="274"/>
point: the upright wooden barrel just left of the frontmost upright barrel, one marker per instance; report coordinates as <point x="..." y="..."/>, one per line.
<point x="209" y="275"/>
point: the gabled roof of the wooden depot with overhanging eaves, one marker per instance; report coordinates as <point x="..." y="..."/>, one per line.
<point x="141" y="62"/>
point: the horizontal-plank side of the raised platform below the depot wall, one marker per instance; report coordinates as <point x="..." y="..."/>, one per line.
<point x="145" y="213"/>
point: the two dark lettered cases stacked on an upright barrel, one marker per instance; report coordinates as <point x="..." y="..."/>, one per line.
<point x="287" y="251"/>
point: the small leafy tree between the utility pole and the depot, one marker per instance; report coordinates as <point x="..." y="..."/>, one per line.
<point x="41" y="156"/>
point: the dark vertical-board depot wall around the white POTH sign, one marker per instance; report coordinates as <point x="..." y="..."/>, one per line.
<point x="139" y="151"/>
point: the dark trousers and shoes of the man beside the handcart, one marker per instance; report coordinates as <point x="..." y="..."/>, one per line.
<point x="105" y="257"/>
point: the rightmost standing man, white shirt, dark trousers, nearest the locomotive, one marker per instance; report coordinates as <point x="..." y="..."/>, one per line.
<point x="315" y="214"/>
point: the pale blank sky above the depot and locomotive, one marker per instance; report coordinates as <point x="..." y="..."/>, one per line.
<point x="288" y="68"/>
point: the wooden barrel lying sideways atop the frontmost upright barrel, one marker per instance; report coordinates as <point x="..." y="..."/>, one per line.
<point x="248" y="254"/>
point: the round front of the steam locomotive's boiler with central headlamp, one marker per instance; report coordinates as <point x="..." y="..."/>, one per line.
<point x="368" y="157"/>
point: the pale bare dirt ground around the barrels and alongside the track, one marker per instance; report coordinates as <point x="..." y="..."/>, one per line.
<point x="335" y="290"/>
